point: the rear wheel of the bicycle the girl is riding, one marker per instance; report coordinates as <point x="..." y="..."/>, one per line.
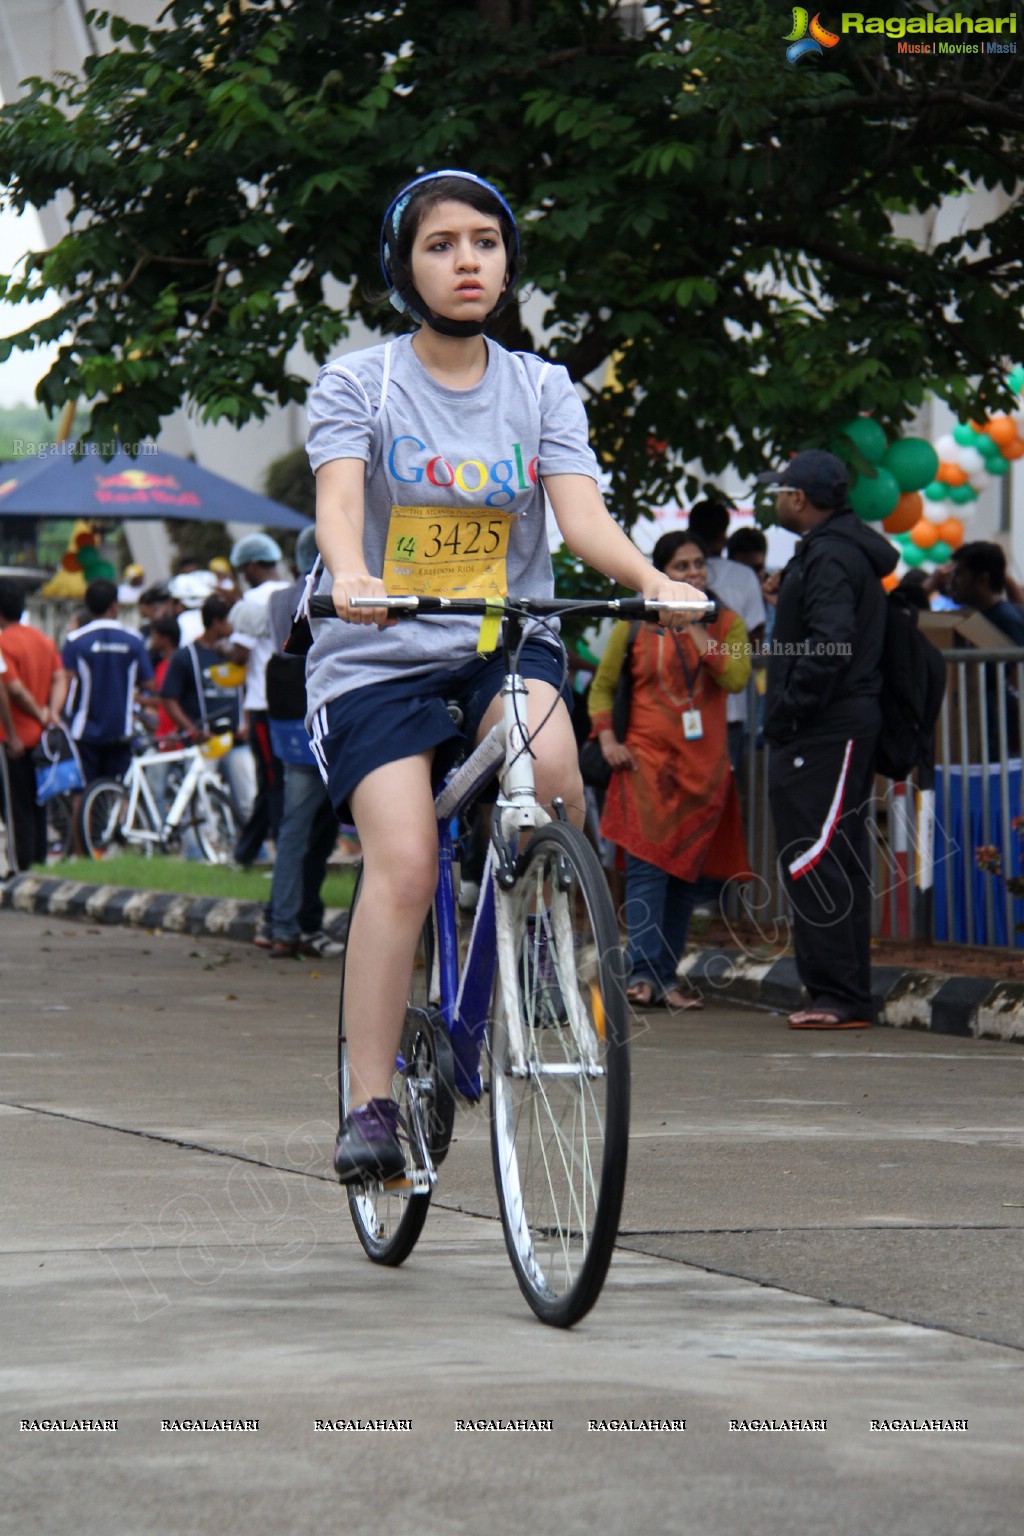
<point x="391" y="1217"/>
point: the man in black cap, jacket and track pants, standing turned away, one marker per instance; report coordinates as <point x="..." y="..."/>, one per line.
<point x="822" y="720"/>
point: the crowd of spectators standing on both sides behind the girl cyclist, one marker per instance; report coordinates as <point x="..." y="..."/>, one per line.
<point x="197" y="666"/>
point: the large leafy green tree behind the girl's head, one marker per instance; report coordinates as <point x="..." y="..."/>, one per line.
<point x="721" y="222"/>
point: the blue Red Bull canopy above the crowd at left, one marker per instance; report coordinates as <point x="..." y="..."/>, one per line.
<point x="154" y="485"/>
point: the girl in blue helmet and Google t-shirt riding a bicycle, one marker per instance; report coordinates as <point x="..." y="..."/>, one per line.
<point x="434" y="455"/>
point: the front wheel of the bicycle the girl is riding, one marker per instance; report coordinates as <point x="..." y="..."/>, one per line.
<point x="561" y="1127"/>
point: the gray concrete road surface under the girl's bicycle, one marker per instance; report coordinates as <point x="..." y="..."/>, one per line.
<point x="819" y="1228"/>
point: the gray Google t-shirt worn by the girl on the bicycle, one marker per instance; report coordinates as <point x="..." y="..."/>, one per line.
<point x="480" y="454"/>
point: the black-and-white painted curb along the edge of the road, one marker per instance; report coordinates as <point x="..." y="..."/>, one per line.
<point x="934" y="1001"/>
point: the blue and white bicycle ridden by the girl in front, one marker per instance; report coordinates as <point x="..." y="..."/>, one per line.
<point x="540" y="996"/>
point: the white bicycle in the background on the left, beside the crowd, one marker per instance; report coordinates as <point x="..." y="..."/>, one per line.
<point x="125" y="816"/>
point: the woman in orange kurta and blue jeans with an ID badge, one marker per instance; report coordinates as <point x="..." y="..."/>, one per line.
<point x="672" y="803"/>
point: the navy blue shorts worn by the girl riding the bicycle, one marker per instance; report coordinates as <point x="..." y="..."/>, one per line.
<point x="389" y="721"/>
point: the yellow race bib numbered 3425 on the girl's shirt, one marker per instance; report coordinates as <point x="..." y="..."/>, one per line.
<point x="441" y="552"/>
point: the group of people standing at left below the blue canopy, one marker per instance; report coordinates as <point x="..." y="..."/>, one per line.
<point x="190" y="670"/>
